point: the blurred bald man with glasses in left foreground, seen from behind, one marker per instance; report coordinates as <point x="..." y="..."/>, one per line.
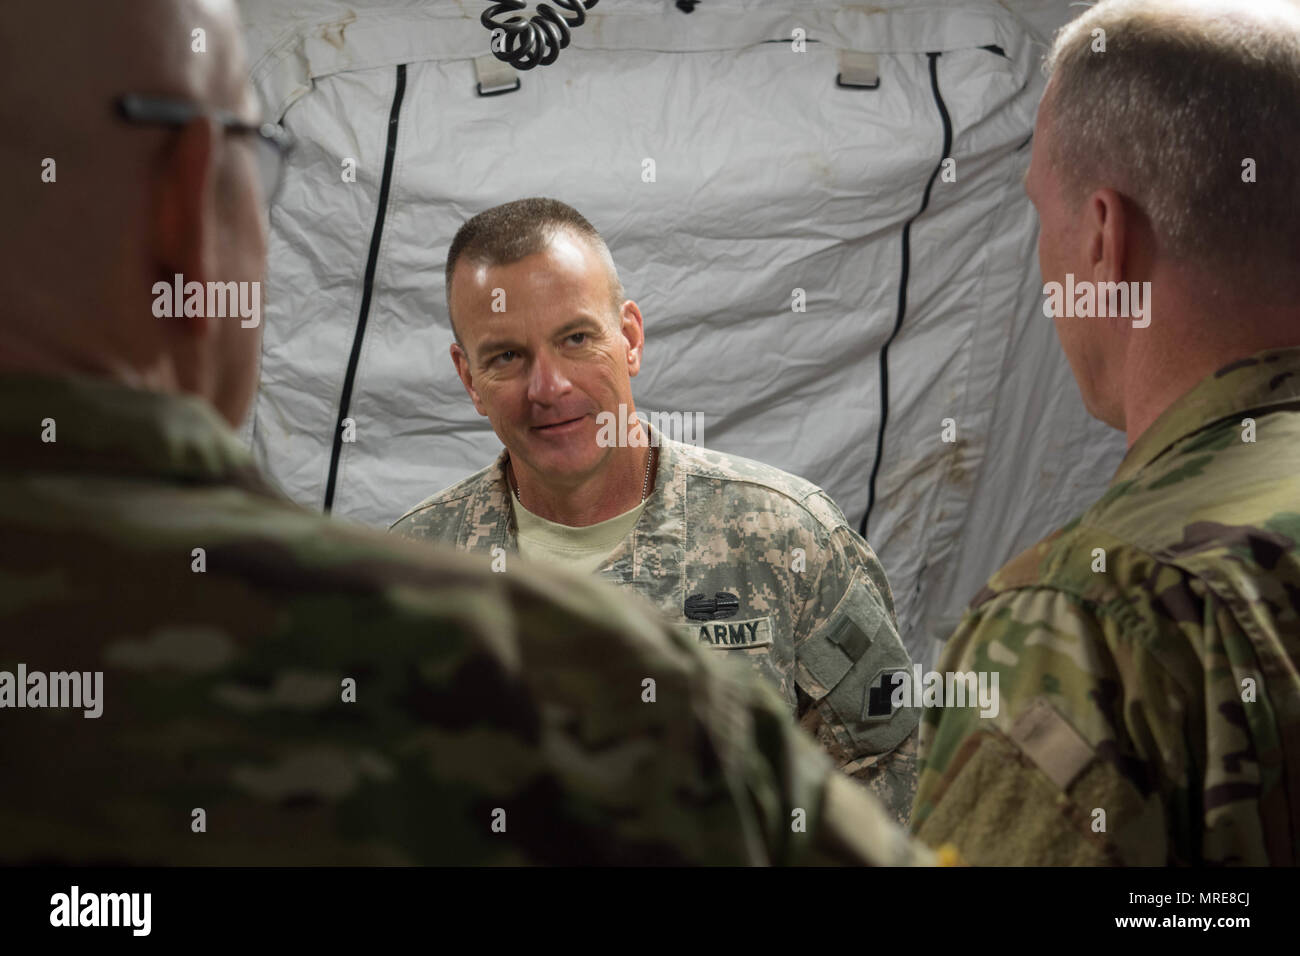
<point x="194" y="671"/>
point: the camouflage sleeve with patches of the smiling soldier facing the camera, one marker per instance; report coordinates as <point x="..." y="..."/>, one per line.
<point x="848" y="648"/>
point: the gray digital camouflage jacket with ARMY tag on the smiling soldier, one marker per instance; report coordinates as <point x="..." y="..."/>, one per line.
<point x="720" y="525"/>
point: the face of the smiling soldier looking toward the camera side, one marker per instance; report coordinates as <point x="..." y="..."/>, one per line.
<point x="544" y="356"/>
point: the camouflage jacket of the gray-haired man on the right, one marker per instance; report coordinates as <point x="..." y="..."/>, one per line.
<point x="1126" y="691"/>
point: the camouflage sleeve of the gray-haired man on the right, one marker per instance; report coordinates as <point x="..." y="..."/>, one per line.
<point x="1100" y="733"/>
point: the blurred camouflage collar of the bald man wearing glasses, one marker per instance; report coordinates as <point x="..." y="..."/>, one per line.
<point x="107" y="429"/>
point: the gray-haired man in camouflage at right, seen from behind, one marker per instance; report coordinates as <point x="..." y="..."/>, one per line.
<point x="1149" y="651"/>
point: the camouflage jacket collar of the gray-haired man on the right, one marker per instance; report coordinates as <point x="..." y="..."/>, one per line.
<point x="1256" y="384"/>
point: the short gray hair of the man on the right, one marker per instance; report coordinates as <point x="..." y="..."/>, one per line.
<point x="1182" y="96"/>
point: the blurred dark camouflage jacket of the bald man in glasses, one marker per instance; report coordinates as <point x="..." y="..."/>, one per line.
<point x="280" y="689"/>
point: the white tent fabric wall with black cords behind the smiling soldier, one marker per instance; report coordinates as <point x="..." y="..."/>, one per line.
<point x="770" y="179"/>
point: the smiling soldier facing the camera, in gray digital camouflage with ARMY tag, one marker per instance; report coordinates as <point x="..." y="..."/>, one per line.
<point x="740" y="557"/>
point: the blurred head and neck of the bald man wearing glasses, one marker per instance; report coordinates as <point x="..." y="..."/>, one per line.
<point x="194" y="180"/>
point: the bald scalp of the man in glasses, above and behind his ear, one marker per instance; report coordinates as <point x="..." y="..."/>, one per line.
<point x="70" y="241"/>
